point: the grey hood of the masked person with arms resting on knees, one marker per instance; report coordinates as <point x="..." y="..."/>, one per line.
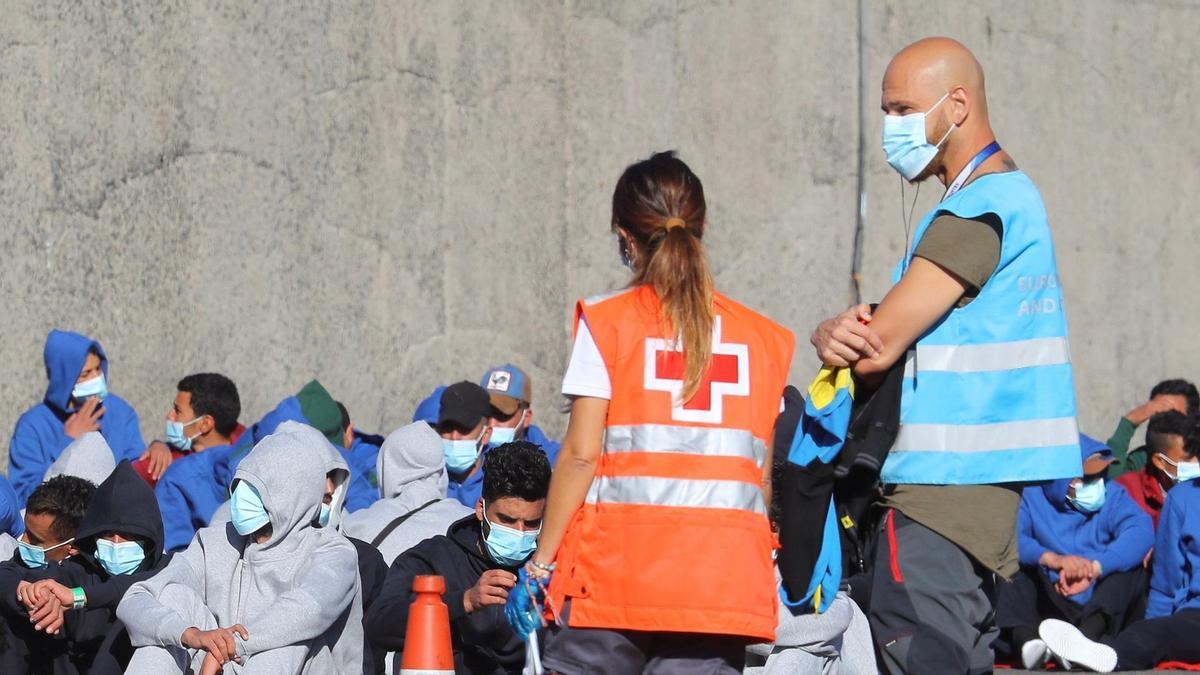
<point x="289" y="471"/>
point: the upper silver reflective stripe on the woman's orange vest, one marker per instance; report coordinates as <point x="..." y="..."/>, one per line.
<point x="686" y="440"/>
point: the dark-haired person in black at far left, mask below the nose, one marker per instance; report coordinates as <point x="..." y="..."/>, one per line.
<point x="53" y="516"/>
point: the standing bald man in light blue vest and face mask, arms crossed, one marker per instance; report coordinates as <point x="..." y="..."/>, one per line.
<point x="988" y="403"/>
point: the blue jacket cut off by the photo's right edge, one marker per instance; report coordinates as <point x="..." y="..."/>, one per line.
<point x="1175" y="583"/>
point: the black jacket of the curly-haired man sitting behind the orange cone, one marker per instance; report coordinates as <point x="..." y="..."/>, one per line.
<point x="484" y="643"/>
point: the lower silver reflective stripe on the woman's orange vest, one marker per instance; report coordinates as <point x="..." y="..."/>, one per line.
<point x="651" y="491"/>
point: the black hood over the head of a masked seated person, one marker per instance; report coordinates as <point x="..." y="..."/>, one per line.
<point x="127" y="505"/>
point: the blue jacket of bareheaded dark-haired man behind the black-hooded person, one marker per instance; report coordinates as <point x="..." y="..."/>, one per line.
<point x="190" y="493"/>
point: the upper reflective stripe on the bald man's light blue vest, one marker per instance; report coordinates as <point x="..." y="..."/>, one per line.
<point x="983" y="359"/>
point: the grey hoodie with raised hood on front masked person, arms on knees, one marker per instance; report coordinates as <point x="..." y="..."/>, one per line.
<point x="297" y="594"/>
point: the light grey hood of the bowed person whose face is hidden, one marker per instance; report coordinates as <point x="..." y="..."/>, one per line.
<point x="412" y="461"/>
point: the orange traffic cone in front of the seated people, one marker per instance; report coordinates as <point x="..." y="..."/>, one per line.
<point x="428" y="638"/>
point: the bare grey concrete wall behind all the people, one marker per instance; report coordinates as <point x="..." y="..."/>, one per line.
<point x="394" y="195"/>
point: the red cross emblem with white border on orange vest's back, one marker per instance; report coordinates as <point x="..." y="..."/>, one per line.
<point x="729" y="375"/>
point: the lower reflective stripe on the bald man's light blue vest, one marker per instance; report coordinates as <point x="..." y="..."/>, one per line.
<point x="987" y="438"/>
